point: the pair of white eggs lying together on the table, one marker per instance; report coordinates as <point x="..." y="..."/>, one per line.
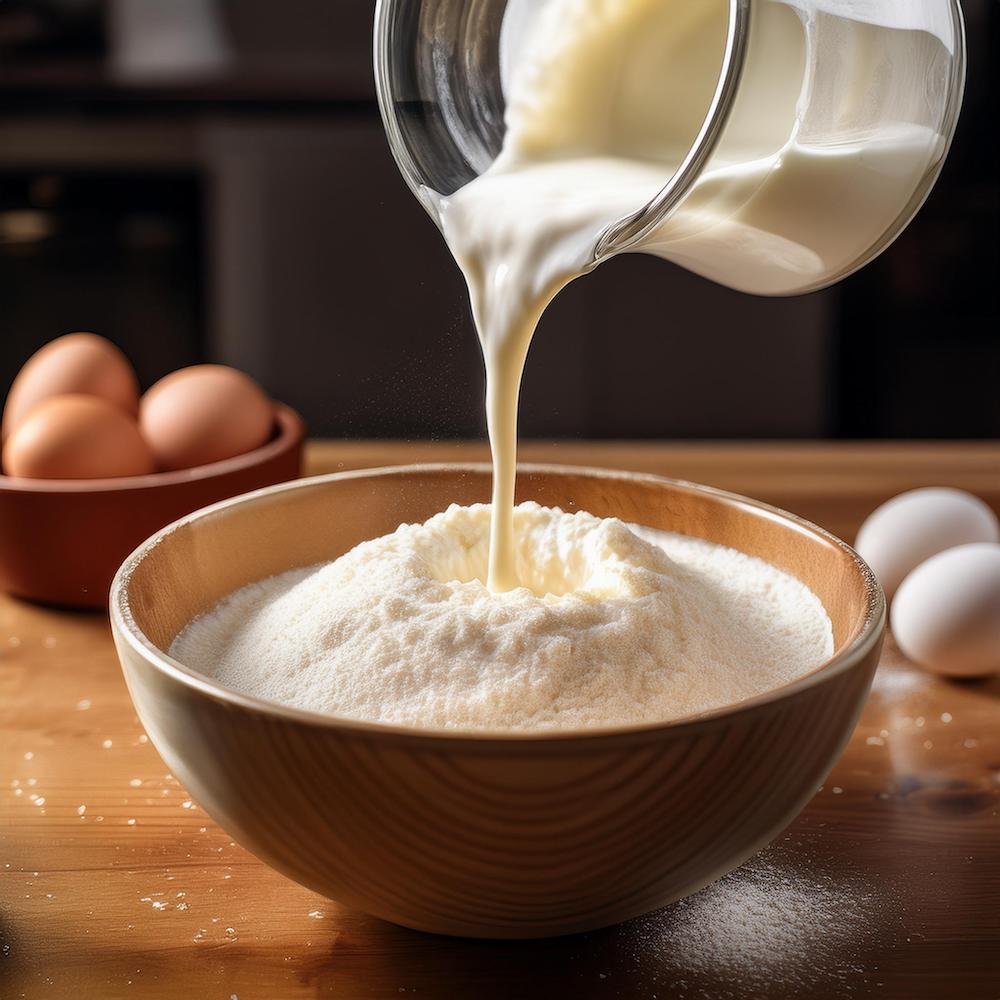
<point x="936" y="552"/>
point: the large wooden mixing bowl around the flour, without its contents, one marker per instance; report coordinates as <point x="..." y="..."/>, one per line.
<point x="487" y="835"/>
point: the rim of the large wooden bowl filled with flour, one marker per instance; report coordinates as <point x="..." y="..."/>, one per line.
<point x="853" y="654"/>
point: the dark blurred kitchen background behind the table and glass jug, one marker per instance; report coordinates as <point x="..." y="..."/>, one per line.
<point x="204" y="180"/>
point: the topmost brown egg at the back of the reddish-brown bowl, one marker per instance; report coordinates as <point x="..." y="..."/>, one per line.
<point x="77" y="363"/>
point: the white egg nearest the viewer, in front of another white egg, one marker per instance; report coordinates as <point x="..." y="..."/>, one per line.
<point x="946" y="616"/>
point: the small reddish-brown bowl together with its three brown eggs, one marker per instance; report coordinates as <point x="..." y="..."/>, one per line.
<point x="91" y="467"/>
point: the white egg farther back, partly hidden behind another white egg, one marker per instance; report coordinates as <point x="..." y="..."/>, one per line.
<point x="909" y="529"/>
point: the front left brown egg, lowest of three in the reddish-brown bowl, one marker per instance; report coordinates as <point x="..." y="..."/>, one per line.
<point x="77" y="437"/>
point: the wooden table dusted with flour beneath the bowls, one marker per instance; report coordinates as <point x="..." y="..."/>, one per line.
<point x="113" y="883"/>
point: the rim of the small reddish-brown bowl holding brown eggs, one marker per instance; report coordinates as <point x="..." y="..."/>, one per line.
<point x="290" y="431"/>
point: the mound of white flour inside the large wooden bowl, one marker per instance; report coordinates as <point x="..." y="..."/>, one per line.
<point x="611" y="626"/>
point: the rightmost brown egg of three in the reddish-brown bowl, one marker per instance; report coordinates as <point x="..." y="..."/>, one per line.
<point x="204" y="414"/>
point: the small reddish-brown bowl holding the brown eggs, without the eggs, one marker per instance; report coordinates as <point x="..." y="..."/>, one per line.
<point x="61" y="541"/>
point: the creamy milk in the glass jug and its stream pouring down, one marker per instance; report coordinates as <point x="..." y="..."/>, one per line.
<point x="604" y="100"/>
